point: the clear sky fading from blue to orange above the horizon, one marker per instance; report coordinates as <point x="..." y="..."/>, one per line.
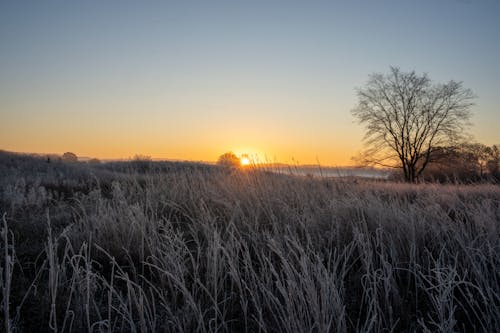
<point x="191" y="80"/>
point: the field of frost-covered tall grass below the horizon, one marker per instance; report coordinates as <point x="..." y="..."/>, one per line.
<point x="184" y="247"/>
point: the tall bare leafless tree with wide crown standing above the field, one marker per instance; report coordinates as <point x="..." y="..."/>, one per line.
<point x="407" y="117"/>
